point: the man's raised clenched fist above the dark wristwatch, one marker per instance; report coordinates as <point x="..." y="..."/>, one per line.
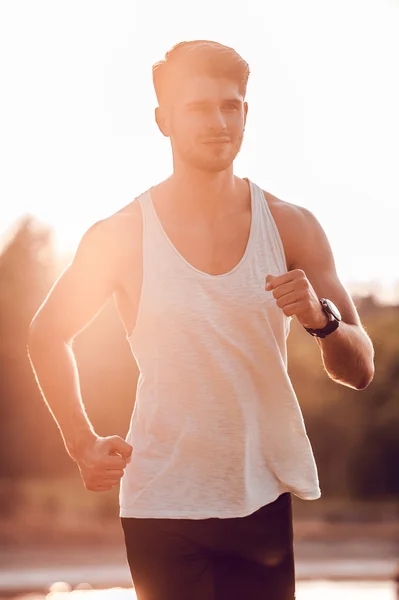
<point x="296" y="296"/>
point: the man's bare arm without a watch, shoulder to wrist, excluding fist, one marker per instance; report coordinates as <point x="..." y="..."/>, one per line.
<point x="75" y="299"/>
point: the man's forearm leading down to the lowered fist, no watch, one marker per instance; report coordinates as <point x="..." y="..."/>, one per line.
<point x="56" y="372"/>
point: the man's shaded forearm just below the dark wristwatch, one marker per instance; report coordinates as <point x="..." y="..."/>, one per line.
<point x="348" y="356"/>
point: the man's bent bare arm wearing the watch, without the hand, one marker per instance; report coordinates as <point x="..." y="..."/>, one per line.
<point x="347" y="353"/>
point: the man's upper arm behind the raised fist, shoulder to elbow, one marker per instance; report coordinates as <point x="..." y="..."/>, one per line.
<point x="315" y="257"/>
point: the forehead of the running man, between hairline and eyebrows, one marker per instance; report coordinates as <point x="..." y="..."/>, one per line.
<point x="205" y="88"/>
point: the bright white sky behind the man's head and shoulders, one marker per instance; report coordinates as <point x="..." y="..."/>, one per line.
<point x="78" y="138"/>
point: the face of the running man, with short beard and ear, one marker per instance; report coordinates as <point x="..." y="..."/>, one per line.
<point x="205" y="122"/>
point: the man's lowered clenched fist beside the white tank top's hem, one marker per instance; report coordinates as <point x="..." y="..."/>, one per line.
<point x="102" y="462"/>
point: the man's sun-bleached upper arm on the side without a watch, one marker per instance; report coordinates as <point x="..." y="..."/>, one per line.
<point x="82" y="289"/>
